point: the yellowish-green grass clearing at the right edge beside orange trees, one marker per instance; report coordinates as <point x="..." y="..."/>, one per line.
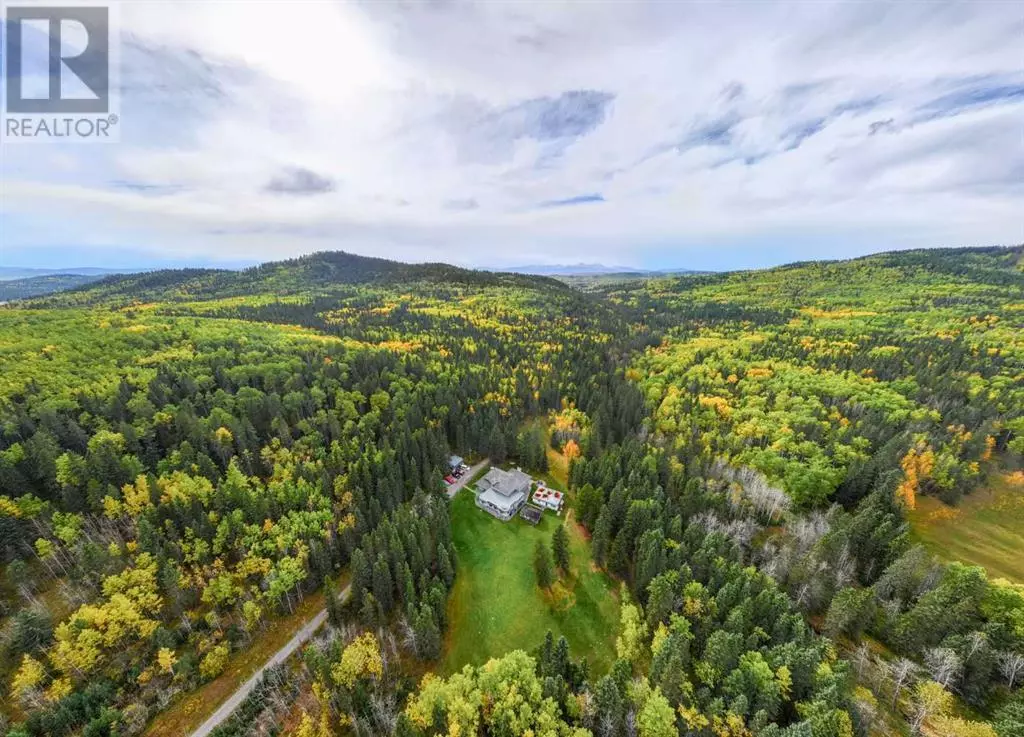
<point x="987" y="529"/>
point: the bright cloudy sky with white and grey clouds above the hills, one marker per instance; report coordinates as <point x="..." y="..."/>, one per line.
<point x="669" y="135"/>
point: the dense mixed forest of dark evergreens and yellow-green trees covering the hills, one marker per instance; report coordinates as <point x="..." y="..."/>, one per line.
<point x="188" y="456"/>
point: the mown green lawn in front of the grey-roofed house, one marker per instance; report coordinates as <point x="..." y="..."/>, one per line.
<point x="496" y="605"/>
